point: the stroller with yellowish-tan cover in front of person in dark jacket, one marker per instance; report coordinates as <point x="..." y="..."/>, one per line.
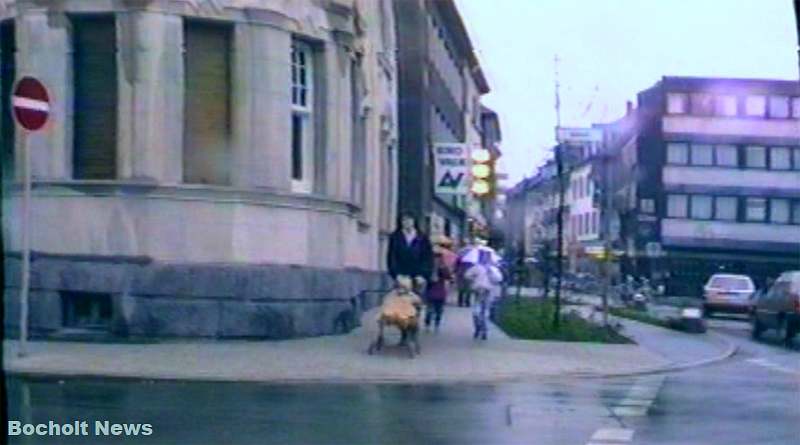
<point x="401" y="308"/>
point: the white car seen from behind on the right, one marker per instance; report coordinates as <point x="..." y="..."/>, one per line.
<point x="728" y="293"/>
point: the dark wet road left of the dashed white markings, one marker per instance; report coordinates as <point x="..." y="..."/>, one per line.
<point x="554" y="412"/>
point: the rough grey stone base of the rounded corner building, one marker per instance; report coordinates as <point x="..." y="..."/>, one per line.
<point x="188" y="300"/>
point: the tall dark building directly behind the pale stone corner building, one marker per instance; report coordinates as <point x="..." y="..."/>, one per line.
<point x="440" y="83"/>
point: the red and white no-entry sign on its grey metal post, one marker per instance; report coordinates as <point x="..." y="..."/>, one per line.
<point x="31" y="105"/>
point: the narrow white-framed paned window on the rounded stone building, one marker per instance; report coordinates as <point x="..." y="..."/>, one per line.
<point x="302" y="144"/>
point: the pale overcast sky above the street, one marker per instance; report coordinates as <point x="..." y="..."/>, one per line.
<point x="609" y="51"/>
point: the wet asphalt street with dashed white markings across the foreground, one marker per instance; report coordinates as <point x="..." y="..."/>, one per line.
<point x="752" y="398"/>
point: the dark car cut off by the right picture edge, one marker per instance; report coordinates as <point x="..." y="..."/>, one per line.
<point x="779" y="308"/>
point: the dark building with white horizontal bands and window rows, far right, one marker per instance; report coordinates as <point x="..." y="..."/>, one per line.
<point x="714" y="168"/>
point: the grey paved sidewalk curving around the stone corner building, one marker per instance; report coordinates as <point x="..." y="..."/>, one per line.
<point x="448" y="356"/>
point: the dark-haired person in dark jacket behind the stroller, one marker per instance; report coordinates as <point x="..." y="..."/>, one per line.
<point x="410" y="254"/>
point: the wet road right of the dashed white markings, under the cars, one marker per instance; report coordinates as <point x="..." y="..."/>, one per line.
<point x="753" y="398"/>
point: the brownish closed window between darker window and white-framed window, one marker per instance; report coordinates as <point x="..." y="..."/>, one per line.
<point x="207" y="111"/>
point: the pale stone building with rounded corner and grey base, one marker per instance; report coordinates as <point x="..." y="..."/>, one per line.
<point x="211" y="167"/>
